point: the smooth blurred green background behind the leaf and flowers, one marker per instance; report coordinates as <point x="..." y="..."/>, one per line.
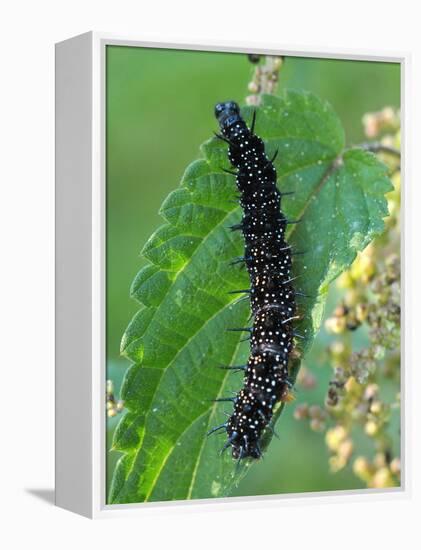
<point x="159" y="110"/>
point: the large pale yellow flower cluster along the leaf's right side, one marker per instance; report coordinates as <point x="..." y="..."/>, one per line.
<point x="356" y="407"/>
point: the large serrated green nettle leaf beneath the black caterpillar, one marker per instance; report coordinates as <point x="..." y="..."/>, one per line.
<point x="178" y="338"/>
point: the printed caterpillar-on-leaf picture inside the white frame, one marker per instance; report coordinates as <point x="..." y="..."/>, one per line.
<point x="253" y="275"/>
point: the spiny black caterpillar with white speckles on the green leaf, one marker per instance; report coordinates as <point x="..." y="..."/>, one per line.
<point x="268" y="260"/>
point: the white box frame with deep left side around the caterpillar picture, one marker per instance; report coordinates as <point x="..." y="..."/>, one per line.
<point x="80" y="275"/>
